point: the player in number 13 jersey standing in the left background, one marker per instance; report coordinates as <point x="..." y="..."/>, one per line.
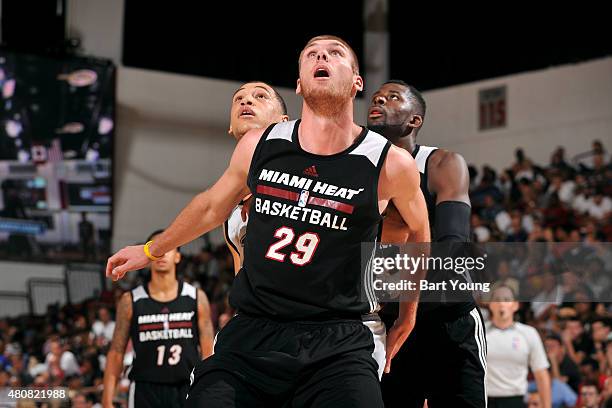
<point x="167" y="320"/>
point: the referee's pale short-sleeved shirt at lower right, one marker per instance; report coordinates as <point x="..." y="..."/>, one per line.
<point x="511" y="352"/>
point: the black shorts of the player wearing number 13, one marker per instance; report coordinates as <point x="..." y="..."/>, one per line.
<point x="157" y="395"/>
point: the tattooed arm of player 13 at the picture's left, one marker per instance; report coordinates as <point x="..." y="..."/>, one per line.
<point x="114" y="358"/>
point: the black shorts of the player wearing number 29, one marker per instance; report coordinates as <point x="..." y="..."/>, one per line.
<point x="259" y="362"/>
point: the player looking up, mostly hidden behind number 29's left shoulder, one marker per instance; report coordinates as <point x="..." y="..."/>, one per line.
<point x="255" y="105"/>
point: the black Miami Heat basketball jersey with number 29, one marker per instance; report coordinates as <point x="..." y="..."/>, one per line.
<point x="308" y="217"/>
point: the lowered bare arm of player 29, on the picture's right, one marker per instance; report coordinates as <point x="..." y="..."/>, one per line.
<point x="400" y="185"/>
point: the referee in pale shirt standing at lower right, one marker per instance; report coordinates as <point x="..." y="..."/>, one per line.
<point x="513" y="349"/>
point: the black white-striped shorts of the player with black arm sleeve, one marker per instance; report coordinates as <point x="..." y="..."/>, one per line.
<point x="443" y="362"/>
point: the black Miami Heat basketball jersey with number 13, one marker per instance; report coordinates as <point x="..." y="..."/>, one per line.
<point x="165" y="336"/>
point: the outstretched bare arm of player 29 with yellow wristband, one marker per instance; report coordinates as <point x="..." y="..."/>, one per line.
<point x="205" y="212"/>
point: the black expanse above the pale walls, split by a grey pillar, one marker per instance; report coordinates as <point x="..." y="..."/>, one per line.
<point x="429" y="47"/>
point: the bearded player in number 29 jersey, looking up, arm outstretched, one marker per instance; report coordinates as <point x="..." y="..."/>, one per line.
<point x="319" y="186"/>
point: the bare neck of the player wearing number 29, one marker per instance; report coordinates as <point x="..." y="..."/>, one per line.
<point x="326" y="135"/>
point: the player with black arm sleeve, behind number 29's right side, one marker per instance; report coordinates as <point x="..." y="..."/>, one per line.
<point x="444" y="359"/>
